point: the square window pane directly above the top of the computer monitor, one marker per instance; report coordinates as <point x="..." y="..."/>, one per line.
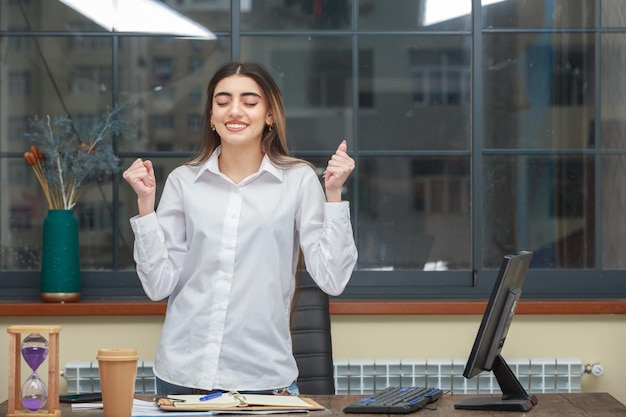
<point x="543" y="204"/>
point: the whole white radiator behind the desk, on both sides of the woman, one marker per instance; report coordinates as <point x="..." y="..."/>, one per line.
<point x="537" y="375"/>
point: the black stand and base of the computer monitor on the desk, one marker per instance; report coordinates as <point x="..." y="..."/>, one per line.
<point x="514" y="396"/>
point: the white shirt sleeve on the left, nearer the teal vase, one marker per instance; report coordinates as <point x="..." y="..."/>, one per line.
<point x="160" y="246"/>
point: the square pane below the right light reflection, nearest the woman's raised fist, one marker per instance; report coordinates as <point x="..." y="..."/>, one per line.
<point x="414" y="93"/>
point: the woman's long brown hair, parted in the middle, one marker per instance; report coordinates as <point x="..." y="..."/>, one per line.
<point x="274" y="140"/>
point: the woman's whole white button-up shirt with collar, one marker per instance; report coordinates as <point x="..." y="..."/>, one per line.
<point x="225" y="254"/>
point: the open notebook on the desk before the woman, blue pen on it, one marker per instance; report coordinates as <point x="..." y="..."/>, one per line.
<point x="235" y="401"/>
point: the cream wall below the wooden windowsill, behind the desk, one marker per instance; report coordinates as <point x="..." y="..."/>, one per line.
<point x="592" y="338"/>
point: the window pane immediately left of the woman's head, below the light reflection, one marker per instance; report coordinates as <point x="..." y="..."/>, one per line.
<point x="167" y="78"/>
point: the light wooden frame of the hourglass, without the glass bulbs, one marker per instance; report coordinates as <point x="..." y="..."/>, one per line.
<point x="15" y="370"/>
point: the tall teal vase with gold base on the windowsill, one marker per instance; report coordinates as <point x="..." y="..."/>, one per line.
<point x="60" y="262"/>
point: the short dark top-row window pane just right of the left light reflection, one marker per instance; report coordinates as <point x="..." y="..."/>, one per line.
<point x="295" y="14"/>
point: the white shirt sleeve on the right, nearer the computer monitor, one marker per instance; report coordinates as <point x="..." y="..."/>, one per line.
<point x="326" y="237"/>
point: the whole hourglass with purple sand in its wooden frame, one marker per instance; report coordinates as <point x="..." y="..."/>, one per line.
<point x="34" y="348"/>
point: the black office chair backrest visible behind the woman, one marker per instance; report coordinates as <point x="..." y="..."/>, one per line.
<point x="312" y="344"/>
